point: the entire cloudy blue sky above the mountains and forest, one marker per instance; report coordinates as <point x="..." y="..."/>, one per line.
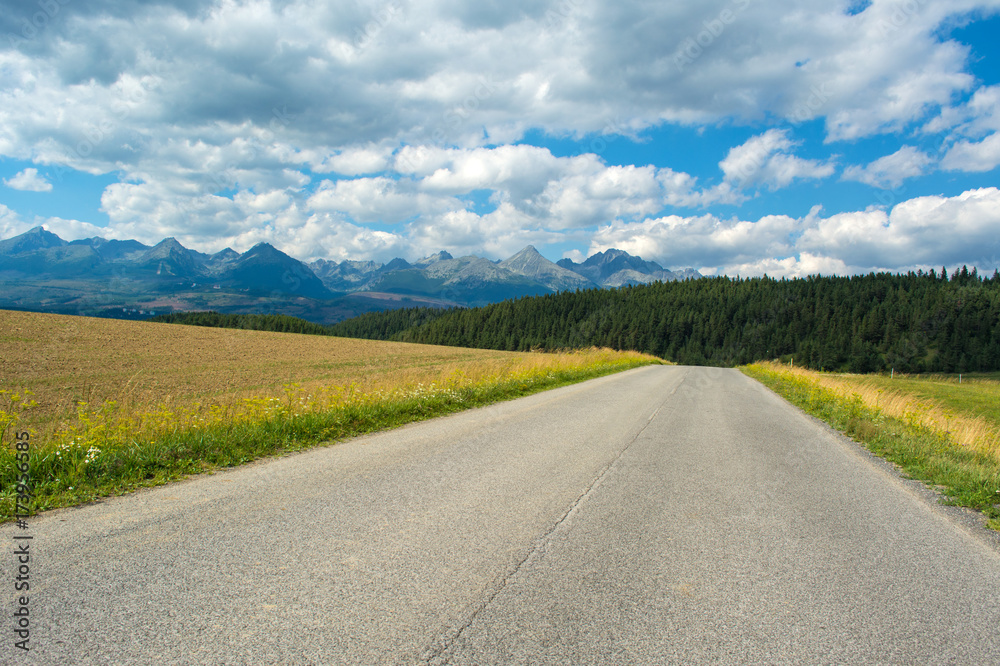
<point x="736" y="137"/>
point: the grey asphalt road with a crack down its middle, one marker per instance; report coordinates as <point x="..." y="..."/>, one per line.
<point x="664" y="515"/>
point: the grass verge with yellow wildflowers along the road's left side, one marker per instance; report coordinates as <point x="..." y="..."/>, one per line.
<point x="109" y="451"/>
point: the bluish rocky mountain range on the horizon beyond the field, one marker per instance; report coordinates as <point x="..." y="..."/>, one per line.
<point x="127" y="279"/>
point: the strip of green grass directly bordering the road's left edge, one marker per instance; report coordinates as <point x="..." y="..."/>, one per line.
<point x="68" y="475"/>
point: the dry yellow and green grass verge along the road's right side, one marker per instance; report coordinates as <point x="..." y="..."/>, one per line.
<point x="968" y="476"/>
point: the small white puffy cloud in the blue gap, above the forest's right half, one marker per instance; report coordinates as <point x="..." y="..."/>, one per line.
<point x="764" y="160"/>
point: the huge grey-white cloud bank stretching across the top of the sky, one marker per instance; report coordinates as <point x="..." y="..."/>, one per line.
<point x="349" y="83"/>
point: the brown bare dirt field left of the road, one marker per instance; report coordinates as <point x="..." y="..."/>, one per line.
<point x="65" y="359"/>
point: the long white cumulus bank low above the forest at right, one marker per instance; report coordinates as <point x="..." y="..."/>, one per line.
<point x="920" y="232"/>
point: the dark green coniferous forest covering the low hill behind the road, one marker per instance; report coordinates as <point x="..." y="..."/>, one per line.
<point x="914" y="322"/>
